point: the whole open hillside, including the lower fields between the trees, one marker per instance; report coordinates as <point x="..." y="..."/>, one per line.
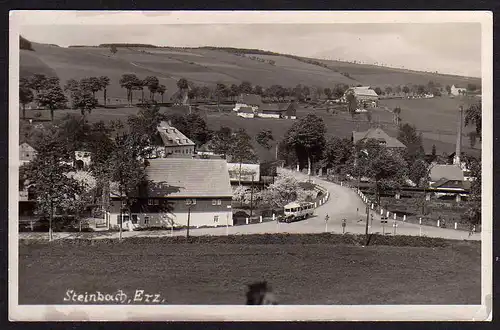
<point x="435" y="118"/>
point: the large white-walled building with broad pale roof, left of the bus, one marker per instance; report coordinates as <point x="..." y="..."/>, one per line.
<point x="178" y="188"/>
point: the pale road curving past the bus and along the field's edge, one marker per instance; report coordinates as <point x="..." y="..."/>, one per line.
<point x="343" y="203"/>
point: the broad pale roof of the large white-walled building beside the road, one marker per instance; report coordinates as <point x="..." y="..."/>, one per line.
<point x="187" y="177"/>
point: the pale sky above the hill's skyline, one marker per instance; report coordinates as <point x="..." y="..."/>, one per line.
<point x="453" y="48"/>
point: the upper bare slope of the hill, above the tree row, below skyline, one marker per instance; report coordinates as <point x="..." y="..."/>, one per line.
<point x="207" y="66"/>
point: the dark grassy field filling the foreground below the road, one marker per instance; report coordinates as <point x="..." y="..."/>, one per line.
<point x="217" y="273"/>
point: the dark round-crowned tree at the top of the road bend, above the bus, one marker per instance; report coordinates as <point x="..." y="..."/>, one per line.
<point x="307" y="137"/>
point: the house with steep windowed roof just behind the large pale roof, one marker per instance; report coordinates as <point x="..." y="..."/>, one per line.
<point x="171" y="141"/>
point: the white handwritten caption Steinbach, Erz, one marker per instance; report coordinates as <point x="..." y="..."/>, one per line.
<point x="118" y="297"/>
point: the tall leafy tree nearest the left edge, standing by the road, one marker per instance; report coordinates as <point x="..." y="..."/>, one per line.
<point x="47" y="176"/>
